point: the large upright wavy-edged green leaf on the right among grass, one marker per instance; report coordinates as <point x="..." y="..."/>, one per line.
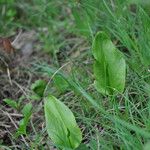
<point x="109" y="67"/>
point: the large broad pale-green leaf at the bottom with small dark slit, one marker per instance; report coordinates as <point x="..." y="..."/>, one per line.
<point x="61" y="124"/>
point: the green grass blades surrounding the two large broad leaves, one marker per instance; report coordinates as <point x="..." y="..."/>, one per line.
<point x="107" y="122"/>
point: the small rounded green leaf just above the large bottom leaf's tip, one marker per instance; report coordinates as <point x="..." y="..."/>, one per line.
<point x="38" y="87"/>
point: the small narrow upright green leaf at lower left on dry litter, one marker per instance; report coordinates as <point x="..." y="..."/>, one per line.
<point x="26" y="111"/>
